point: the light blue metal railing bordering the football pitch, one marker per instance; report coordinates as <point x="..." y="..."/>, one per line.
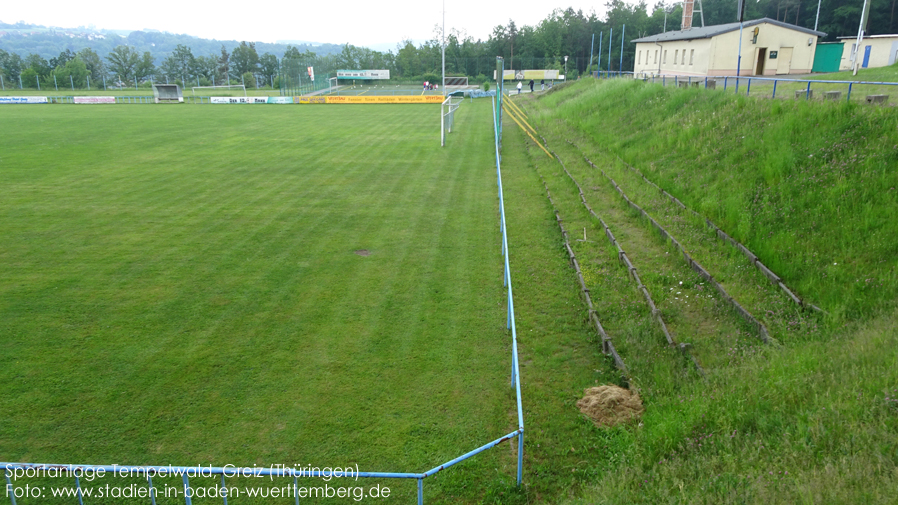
<point x="11" y="469"/>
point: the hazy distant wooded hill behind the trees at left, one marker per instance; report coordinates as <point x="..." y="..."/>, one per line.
<point x="48" y="42"/>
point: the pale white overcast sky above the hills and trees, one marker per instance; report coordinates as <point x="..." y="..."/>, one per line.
<point x="361" y="23"/>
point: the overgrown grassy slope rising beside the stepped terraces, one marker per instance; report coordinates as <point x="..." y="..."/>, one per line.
<point x="815" y="420"/>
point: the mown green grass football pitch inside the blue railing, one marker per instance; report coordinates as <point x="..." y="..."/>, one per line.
<point x="251" y="285"/>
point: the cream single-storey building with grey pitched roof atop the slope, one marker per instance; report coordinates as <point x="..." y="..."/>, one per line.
<point x="769" y="47"/>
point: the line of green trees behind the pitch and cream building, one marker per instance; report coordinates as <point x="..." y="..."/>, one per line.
<point x="563" y="33"/>
